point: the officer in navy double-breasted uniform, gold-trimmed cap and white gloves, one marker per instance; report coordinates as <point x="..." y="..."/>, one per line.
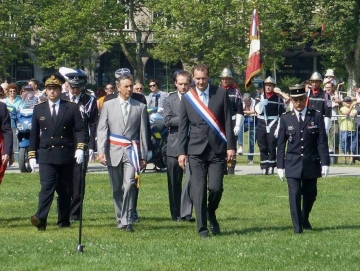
<point x="52" y="142"/>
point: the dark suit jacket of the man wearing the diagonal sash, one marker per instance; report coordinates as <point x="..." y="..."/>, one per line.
<point x="200" y="134"/>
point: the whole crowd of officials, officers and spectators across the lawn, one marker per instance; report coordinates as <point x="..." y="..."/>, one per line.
<point x="205" y="129"/>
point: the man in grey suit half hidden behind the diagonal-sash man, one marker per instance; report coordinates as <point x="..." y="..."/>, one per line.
<point x="180" y="202"/>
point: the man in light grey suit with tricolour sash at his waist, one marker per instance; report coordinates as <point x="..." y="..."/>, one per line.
<point x="122" y="147"/>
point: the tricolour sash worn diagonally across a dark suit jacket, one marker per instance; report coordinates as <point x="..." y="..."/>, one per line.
<point x="206" y="114"/>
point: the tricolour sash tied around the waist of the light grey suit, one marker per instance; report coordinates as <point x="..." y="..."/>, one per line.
<point x="131" y="148"/>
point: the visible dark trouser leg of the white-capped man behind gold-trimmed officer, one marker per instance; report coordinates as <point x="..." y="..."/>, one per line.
<point x="76" y="192"/>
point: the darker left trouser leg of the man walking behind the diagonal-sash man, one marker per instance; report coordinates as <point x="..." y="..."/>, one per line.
<point x="174" y="177"/>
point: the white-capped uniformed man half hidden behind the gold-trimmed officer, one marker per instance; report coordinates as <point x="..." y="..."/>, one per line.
<point x="88" y="108"/>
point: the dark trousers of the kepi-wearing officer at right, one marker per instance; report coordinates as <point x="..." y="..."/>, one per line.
<point x="308" y="190"/>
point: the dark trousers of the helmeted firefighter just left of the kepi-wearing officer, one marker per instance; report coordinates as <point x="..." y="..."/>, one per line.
<point x="267" y="146"/>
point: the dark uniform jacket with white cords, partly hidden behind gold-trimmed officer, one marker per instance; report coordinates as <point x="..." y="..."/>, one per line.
<point x="90" y="104"/>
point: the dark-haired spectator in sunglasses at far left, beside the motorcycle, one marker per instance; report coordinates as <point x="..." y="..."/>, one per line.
<point x="13" y="102"/>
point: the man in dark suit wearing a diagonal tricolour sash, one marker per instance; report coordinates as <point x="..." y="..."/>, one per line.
<point x="206" y="136"/>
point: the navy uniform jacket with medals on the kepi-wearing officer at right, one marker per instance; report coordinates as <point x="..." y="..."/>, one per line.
<point x="307" y="146"/>
